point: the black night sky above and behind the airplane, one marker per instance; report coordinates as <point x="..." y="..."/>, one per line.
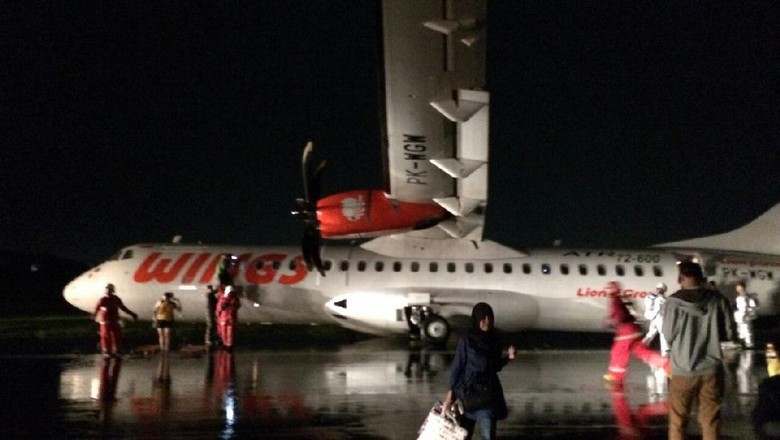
<point x="611" y="125"/>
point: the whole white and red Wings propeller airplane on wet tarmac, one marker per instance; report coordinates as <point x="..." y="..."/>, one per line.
<point x="426" y="263"/>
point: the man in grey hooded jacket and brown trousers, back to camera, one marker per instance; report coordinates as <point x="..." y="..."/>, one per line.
<point x="696" y="320"/>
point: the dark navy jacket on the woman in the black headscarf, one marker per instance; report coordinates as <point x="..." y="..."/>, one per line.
<point x="478" y="359"/>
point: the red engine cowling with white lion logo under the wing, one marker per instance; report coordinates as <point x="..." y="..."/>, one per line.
<point x="370" y="213"/>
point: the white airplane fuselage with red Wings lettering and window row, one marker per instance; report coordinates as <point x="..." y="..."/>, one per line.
<point x="551" y="289"/>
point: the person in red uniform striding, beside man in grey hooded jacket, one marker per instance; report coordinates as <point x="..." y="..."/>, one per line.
<point x="628" y="339"/>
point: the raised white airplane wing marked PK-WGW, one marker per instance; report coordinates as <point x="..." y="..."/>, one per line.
<point x="436" y="143"/>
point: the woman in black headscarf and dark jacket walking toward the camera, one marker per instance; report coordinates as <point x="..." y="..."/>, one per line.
<point x="479" y="357"/>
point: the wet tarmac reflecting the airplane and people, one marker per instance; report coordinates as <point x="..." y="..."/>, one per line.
<point x="368" y="390"/>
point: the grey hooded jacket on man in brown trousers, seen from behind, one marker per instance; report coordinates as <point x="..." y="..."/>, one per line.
<point x="695" y="323"/>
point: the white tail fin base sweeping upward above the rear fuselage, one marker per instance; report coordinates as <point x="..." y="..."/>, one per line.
<point x="761" y="236"/>
